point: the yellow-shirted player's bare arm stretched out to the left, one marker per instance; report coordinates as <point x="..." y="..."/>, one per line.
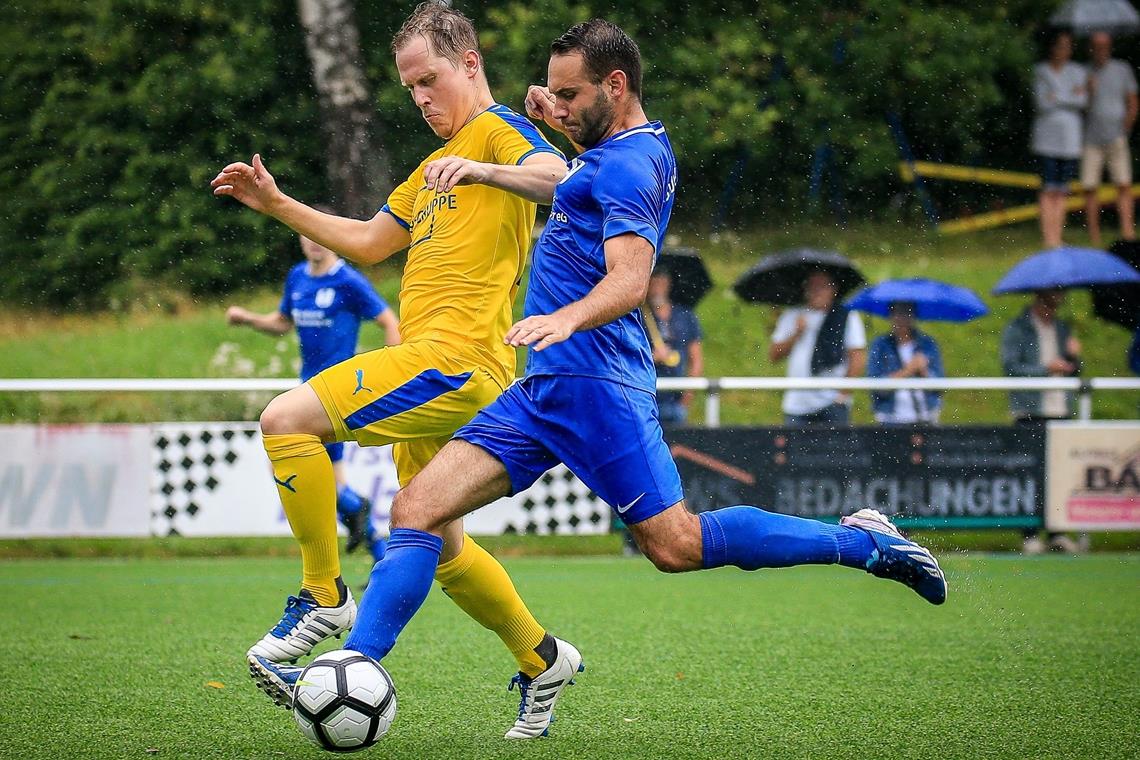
<point x="361" y="242"/>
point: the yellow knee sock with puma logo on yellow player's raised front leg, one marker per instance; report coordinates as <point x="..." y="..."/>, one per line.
<point x="308" y="491"/>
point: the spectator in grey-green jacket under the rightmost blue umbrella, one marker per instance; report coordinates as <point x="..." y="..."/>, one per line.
<point x="1039" y="345"/>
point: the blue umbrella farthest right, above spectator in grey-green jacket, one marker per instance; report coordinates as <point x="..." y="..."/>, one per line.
<point x="1063" y="268"/>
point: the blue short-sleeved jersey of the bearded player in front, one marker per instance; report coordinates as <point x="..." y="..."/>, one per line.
<point x="623" y="185"/>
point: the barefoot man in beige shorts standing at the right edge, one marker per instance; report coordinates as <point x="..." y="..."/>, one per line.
<point x="1110" y="121"/>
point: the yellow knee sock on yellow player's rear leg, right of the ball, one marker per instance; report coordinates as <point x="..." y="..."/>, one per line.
<point x="478" y="584"/>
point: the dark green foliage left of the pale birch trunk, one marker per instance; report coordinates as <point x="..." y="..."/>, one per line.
<point x="121" y="112"/>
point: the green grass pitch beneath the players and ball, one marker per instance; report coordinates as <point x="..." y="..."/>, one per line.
<point x="1030" y="658"/>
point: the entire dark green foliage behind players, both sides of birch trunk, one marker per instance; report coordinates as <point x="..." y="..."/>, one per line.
<point x="117" y="115"/>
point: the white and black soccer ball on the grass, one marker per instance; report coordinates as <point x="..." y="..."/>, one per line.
<point x="345" y="701"/>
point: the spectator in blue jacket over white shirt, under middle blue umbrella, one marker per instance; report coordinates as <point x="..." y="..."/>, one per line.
<point x="905" y="353"/>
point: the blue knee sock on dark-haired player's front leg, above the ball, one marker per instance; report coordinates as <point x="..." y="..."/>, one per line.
<point x="398" y="585"/>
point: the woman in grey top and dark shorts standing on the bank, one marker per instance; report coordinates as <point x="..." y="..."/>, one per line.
<point x="1060" y="94"/>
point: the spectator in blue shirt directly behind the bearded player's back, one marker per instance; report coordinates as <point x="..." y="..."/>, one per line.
<point x="679" y="352"/>
